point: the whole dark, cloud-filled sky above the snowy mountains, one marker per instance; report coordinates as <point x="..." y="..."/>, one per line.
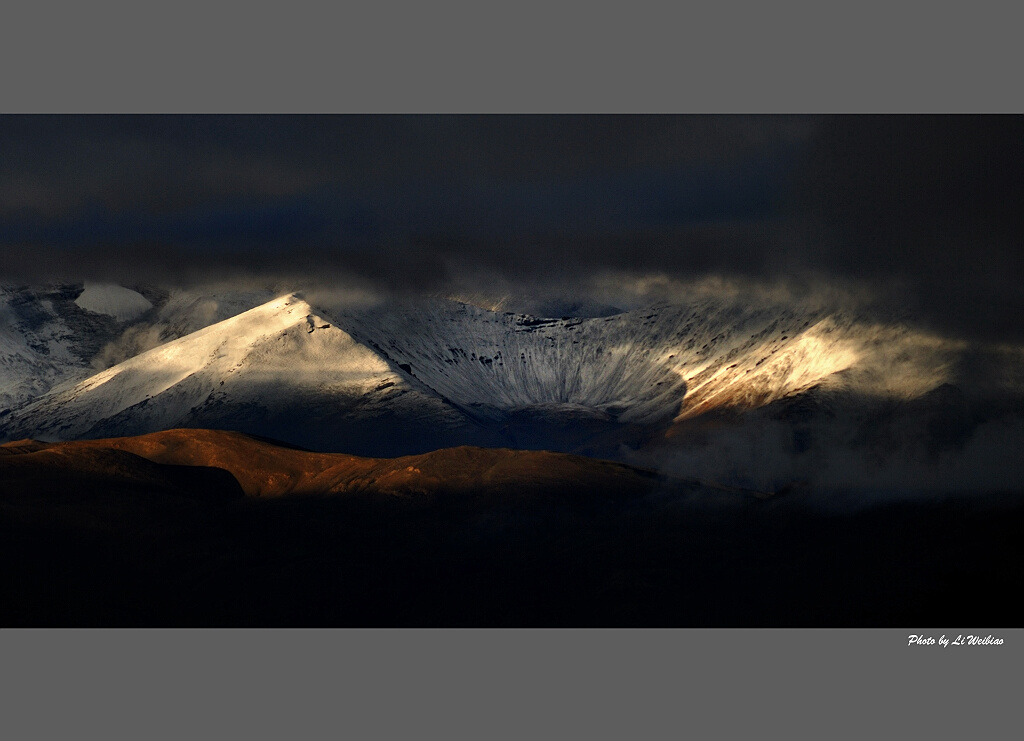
<point x="931" y="206"/>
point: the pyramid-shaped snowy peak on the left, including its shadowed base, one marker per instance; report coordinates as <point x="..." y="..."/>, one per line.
<point x="279" y="368"/>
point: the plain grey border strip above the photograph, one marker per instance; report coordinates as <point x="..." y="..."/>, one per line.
<point x="532" y="57"/>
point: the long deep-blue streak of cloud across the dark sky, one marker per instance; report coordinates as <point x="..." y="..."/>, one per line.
<point x="487" y="208"/>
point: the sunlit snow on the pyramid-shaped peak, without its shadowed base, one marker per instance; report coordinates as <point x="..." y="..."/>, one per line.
<point x="279" y="357"/>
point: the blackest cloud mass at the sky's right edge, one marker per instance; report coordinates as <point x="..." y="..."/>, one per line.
<point x="932" y="204"/>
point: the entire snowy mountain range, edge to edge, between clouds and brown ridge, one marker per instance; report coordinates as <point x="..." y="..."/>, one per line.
<point x="805" y="387"/>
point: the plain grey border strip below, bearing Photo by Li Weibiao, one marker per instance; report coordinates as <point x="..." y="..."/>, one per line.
<point x="507" y="684"/>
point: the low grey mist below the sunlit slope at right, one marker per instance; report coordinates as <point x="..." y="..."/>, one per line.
<point x="774" y="456"/>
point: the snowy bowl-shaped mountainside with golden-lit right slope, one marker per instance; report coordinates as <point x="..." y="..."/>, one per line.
<point x="638" y="366"/>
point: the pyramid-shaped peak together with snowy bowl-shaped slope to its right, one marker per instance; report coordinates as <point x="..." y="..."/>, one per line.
<point x="414" y="376"/>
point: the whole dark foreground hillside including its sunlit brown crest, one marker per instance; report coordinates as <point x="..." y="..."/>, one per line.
<point x="199" y="529"/>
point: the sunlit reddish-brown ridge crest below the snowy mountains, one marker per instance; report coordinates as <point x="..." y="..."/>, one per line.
<point x="267" y="470"/>
